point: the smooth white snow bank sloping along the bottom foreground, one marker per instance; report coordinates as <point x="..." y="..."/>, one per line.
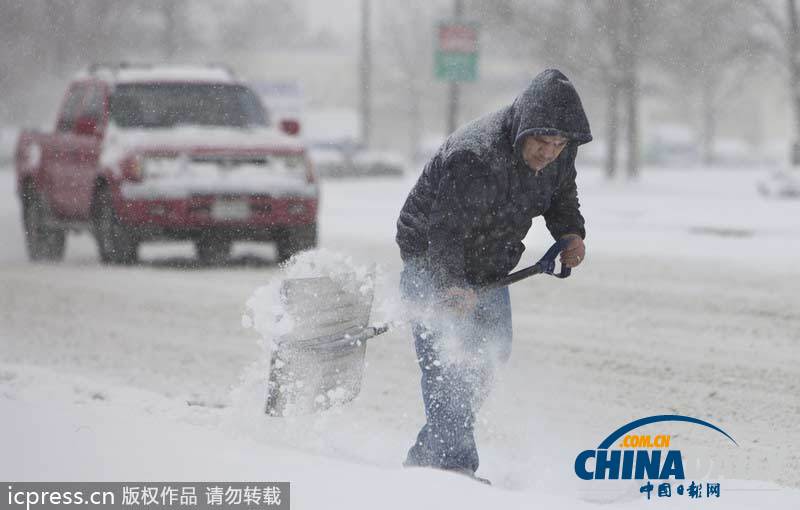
<point x="84" y="431"/>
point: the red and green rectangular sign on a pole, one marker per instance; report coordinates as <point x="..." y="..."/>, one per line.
<point x="456" y="56"/>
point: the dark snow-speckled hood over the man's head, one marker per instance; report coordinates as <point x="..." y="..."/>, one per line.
<point x="550" y="106"/>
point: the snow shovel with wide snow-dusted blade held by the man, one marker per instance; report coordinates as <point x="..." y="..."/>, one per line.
<point x="320" y="362"/>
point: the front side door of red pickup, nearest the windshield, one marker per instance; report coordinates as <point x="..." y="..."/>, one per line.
<point x="90" y="127"/>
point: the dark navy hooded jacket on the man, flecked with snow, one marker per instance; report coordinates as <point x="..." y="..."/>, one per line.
<point x="476" y="198"/>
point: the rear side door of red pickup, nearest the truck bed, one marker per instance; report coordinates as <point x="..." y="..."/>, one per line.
<point x="61" y="156"/>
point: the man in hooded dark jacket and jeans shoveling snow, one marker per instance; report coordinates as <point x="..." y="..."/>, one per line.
<point x="461" y="227"/>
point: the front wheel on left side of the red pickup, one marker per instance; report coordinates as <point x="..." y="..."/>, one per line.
<point x="115" y="242"/>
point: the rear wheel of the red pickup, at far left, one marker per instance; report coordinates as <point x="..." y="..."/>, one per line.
<point x="44" y="242"/>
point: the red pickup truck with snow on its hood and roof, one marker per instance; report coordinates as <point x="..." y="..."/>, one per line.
<point x="164" y="153"/>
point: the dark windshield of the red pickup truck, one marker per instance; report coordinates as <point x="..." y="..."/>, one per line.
<point x="159" y="105"/>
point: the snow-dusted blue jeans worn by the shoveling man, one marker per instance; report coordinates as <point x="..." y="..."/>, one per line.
<point x="457" y="356"/>
